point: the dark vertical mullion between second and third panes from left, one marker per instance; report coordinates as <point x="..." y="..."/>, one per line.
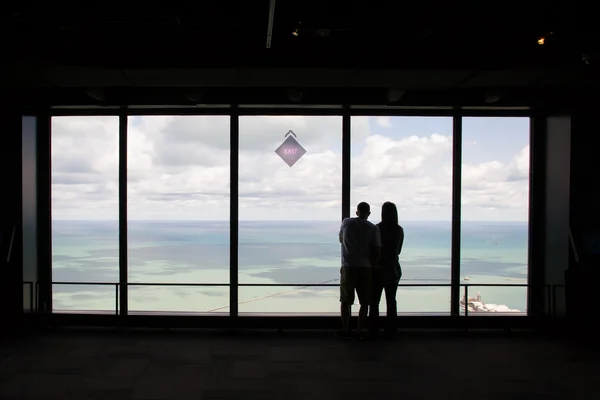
<point x="234" y="130"/>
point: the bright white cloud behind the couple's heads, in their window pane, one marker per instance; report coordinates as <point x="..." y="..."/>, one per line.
<point x="409" y="172"/>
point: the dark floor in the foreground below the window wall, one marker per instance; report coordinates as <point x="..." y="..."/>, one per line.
<point x="293" y="366"/>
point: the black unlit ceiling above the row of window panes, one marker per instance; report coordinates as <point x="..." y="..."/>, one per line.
<point x="340" y="44"/>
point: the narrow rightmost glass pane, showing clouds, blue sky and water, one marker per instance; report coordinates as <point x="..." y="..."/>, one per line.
<point x="495" y="207"/>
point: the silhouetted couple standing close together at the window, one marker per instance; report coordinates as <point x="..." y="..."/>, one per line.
<point x="370" y="267"/>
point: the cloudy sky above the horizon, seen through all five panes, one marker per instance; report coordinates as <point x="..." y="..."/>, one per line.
<point x="178" y="168"/>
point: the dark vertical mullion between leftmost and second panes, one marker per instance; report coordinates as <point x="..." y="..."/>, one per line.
<point x="123" y="261"/>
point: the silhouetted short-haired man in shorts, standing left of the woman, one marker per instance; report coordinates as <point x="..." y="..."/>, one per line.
<point x="361" y="247"/>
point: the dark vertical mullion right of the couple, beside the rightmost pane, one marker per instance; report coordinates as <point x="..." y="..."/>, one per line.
<point x="456" y="212"/>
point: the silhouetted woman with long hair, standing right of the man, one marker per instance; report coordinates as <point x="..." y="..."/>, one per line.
<point x="388" y="272"/>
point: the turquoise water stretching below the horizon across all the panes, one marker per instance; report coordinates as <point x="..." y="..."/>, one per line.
<point x="301" y="253"/>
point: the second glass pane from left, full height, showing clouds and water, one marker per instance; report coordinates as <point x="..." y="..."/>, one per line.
<point x="178" y="207"/>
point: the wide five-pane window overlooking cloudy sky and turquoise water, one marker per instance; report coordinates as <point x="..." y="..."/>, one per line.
<point x="290" y="209"/>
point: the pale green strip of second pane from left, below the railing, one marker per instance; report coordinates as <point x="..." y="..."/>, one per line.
<point x="179" y="299"/>
